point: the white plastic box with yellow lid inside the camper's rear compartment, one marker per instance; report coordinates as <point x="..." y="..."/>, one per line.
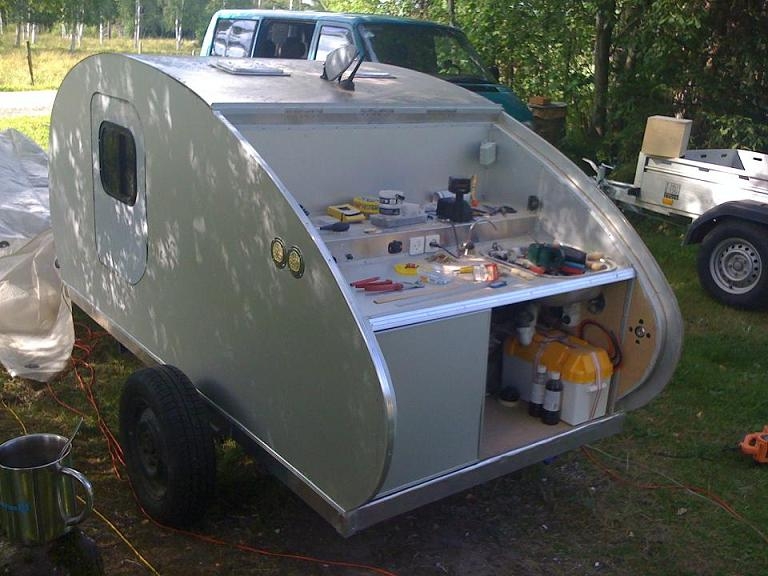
<point x="585" y="371"/>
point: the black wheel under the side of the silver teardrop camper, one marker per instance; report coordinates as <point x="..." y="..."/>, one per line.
<point x="168" y="445"/>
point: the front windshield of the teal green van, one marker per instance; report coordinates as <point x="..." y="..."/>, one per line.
<point x="438" y="51"/>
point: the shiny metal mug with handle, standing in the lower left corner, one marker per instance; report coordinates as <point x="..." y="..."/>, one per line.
<point x="37" y="490"/>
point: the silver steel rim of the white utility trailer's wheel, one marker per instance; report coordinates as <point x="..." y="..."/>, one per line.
<point x="736" y="266"/>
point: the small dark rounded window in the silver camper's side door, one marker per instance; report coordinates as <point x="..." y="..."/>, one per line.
<point x="117" y="162"/>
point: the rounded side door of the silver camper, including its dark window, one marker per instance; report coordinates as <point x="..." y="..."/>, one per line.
<point x="119" y="186"/>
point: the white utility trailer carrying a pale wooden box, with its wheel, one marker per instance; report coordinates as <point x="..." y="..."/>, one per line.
<point x="723" y="194"/>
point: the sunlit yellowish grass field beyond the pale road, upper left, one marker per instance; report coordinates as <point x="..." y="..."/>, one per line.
<point x="52" y="59"/>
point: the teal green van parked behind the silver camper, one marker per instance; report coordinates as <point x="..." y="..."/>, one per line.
<point x="442" y="51"/>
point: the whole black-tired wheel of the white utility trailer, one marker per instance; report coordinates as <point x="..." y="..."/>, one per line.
<point x="733" y="264"/>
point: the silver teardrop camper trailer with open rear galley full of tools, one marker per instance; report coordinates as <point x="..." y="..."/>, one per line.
<point x="190" y="201"/>
